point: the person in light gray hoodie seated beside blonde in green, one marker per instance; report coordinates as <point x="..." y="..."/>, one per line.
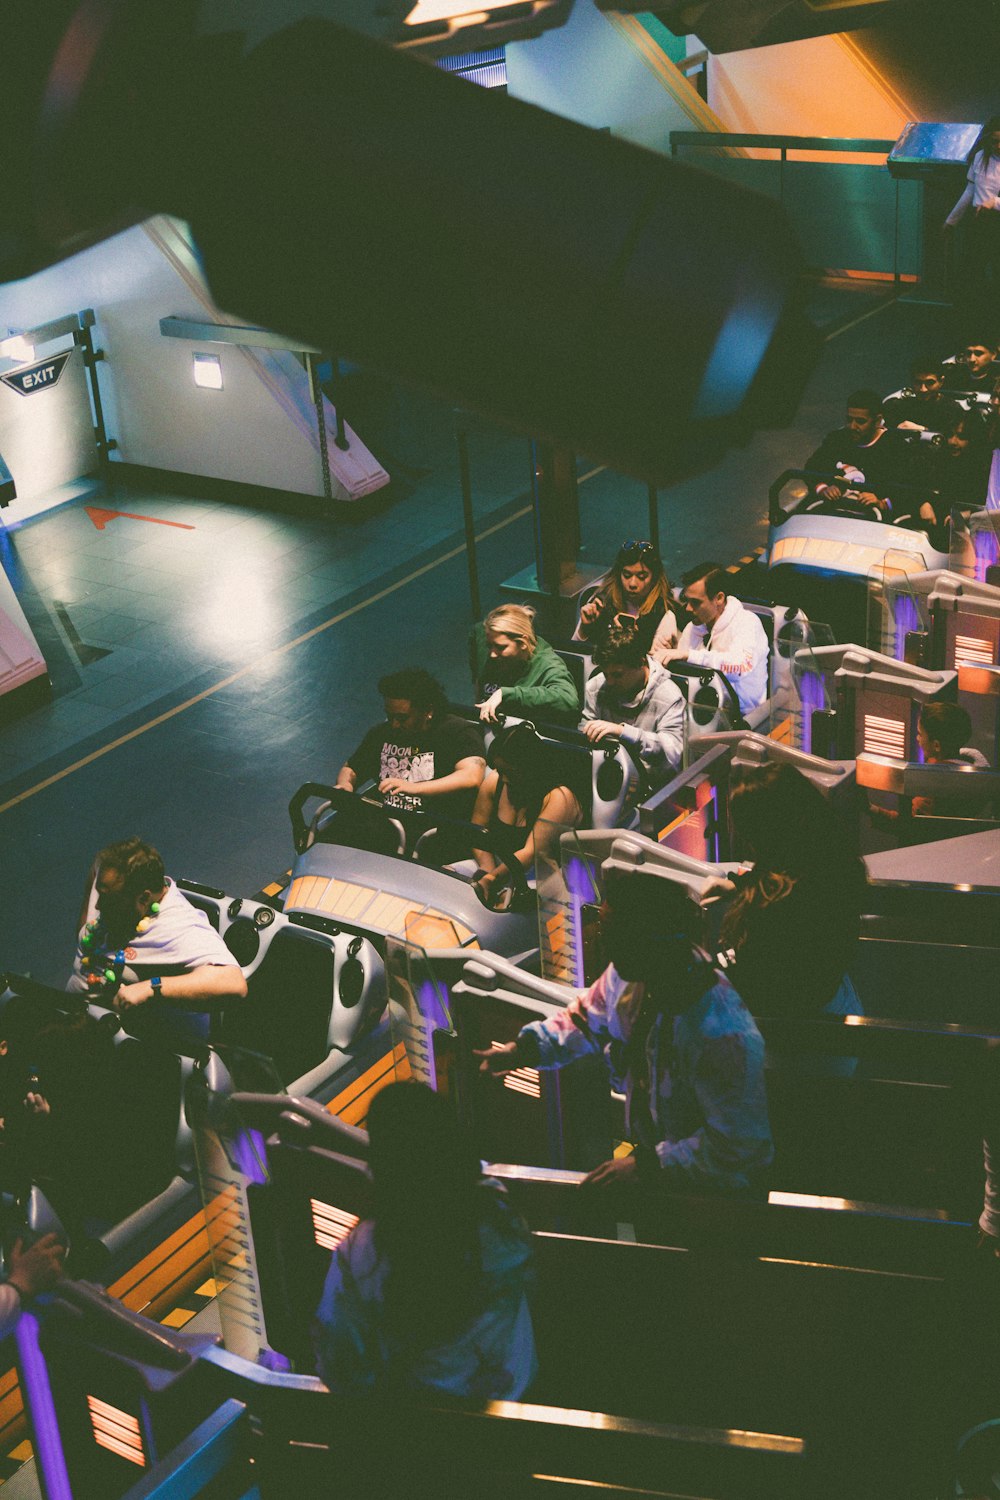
<point x="635" y="700"/>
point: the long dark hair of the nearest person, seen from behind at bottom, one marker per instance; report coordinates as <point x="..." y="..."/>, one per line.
<point x="428" y="1208"/>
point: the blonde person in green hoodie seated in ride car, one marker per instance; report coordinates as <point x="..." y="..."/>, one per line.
<point x="518" y="673"/>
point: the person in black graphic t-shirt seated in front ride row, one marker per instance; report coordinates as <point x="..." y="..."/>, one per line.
<point x="424" y="758"/>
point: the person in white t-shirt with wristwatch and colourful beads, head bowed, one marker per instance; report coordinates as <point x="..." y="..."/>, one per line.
<point x="143" y="944"/>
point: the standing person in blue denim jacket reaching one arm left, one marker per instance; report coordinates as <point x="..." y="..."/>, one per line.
<point x="678" y="1040"/>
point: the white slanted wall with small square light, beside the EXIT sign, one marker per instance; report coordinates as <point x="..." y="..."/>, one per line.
<point x="160" y="418"/>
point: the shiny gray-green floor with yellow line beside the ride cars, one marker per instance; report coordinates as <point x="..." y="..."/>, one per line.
<point x="206" y="667"/>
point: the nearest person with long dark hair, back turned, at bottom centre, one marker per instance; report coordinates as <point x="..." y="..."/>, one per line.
<point x="431" y="1292"/>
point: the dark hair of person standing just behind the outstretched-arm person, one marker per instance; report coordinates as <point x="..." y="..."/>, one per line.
<point x="785" y="824"/>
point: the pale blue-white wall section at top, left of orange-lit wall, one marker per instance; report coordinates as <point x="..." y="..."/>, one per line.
<point x="588" y="71"/>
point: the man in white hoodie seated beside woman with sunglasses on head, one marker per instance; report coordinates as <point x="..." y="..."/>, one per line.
<point x="723" y="634"/>
